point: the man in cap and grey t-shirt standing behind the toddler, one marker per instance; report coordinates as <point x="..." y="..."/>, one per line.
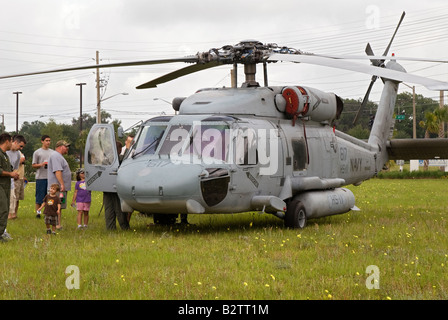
<point x="59" y="172"/>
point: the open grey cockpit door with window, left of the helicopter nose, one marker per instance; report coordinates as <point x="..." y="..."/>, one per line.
<point x="101" y="162"/>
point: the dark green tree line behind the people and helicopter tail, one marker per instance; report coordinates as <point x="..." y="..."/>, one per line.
<point x="428" y="113"/>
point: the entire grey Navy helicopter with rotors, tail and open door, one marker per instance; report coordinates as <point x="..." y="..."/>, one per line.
<point x="271" y="149"/>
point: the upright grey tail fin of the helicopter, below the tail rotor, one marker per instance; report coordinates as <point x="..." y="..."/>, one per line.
<point x="384" y="121"/>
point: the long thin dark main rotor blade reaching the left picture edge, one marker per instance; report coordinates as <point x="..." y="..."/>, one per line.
<point x="191" y="59"/>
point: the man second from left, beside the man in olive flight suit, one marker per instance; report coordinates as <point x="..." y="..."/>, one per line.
<point x="17" y="144"/>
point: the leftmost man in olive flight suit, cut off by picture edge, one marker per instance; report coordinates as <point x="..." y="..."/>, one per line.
<point x="6" y="174"/>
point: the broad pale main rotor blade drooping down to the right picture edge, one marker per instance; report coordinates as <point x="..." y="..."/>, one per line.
<point x="352" y="66"/>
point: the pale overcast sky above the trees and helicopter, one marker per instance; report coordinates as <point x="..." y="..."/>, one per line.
<point x="49" y="34"/>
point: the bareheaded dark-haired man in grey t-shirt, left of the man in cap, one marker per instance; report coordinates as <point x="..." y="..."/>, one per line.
<point x="40" y="163"/>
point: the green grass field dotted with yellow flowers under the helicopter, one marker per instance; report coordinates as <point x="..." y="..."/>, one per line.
<point x="401" y="230"/>
